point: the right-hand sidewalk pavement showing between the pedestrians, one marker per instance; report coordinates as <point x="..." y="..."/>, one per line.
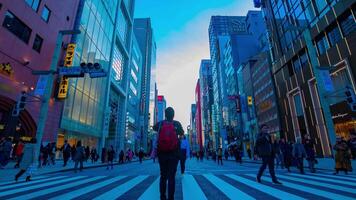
<point x="323" y="164"/>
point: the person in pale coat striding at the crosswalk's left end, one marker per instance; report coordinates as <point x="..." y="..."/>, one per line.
<point x="28" y="159"/>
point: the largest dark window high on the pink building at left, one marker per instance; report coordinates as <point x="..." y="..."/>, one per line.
<point x="17" y="27"/>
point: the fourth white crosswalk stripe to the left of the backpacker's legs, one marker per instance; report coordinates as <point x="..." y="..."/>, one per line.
<point x="55" y="189"/>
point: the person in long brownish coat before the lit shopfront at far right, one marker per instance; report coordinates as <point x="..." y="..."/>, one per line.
<point x="342" y="156"/>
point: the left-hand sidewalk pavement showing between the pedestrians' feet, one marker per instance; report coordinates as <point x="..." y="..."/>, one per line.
<point x="9" y="172"/>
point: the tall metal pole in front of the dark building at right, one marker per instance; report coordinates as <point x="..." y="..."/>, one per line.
<point x="321" y="89"/>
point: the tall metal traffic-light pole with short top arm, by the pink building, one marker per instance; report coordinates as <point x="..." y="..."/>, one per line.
<point x="48" y="89"/>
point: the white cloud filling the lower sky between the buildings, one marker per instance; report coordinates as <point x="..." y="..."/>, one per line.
<point x="179" y="56"/>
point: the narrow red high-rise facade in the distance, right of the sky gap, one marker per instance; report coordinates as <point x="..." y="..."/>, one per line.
<point x="198" y="118"/>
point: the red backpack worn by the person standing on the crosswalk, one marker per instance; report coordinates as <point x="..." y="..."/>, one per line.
<point x="167" y="137"/>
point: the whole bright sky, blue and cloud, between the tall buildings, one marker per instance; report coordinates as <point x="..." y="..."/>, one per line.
<point x="181" y="33"/>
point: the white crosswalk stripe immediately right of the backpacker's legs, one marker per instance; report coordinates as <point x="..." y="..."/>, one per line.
<point x="191" y="189"/>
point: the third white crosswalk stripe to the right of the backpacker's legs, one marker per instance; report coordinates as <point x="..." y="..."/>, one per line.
<point x="265" y="189"/>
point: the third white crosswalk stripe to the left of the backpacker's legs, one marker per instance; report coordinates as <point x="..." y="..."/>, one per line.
<point x="77" y="193"/>
